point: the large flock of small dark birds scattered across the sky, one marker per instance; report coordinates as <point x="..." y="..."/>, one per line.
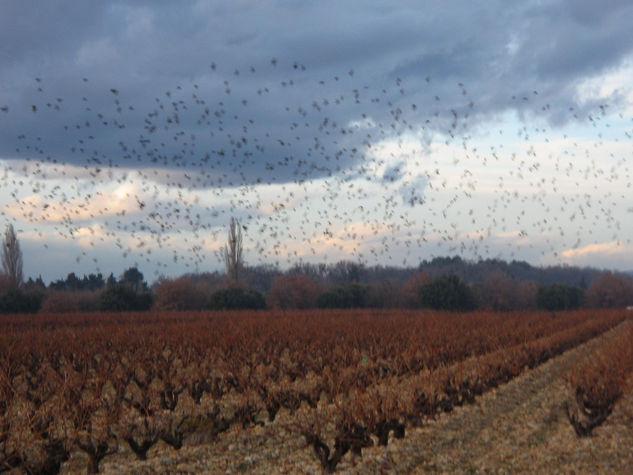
<point x="313" y="168"/>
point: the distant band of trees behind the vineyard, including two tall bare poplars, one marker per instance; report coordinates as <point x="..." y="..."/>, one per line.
<point x="446" y="283"/>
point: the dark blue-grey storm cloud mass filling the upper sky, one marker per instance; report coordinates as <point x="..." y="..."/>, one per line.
<point x="252" y="118"/>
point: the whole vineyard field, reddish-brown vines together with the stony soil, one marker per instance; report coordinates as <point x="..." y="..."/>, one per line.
<point x="352" y="391"/>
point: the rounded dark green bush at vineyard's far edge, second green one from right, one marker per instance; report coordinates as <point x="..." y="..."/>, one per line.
<point x="447" y="292"/>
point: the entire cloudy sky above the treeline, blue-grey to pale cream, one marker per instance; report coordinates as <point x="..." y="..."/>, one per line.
<point x="379" y="132"/>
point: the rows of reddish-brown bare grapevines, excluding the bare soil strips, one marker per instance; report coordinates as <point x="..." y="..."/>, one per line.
<point x="80" y="391"/>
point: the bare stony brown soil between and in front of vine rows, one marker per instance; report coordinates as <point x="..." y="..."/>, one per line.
<point x="520" y="427"/>
